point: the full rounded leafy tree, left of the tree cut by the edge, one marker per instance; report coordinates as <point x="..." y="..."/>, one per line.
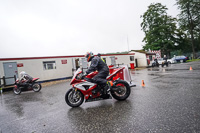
<point x="160" y="29"/>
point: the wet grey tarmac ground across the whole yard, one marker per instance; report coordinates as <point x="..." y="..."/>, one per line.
<point x="169" y="103"/>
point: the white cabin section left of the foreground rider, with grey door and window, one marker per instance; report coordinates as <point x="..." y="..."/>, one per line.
<point x="45" y="68"/>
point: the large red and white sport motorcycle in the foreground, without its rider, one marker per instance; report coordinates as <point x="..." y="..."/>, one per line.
<point x="82" y="89"/>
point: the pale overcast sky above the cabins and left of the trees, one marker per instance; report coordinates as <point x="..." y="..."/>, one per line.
<point x="32" y="28"/>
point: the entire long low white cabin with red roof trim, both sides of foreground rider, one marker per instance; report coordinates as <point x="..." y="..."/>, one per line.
<point x="55" y="67"/>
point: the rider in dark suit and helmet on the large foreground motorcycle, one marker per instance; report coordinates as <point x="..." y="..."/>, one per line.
<point x="103" y="71"/>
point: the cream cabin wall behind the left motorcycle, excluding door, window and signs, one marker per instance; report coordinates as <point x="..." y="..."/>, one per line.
<point x="35" y="68"/>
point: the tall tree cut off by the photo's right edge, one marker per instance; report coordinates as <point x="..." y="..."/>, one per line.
<point x="189" y="21"/>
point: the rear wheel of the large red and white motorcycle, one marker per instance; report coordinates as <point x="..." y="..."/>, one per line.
<point x="121" y="90"/>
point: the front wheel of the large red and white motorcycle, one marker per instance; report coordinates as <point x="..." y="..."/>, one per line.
<point x="74" y="98"/>
